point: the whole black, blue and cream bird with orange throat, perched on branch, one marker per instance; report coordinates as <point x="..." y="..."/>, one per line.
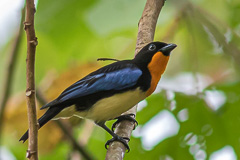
<point x="108" y="92"/>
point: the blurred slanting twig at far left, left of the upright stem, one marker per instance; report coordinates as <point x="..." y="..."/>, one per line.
<point x="8" y="77"/>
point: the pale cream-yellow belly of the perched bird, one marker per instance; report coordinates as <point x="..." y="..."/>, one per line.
<point x="112" y="107"/>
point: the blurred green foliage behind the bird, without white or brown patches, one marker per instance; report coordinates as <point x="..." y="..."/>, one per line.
<point x="73" y="32"/>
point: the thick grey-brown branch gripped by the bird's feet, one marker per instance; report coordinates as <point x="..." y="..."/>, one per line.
<point x="146" y="30"/>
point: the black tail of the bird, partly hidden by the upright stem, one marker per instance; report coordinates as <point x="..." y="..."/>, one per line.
<point x="51" y="112"/>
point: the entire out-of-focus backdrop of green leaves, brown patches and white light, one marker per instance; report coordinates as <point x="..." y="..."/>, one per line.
<point x="193" y="114"/>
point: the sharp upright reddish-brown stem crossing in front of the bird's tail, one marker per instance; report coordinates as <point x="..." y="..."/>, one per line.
<point x="32" y="152"/>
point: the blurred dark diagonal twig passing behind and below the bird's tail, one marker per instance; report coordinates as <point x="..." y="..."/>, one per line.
<point x="69" y="135"/>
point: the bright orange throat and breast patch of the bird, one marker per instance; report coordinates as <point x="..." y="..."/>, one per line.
<point x="156" y="68"/>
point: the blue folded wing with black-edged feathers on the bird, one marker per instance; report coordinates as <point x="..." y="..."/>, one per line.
<point x="112" y="79"/>
